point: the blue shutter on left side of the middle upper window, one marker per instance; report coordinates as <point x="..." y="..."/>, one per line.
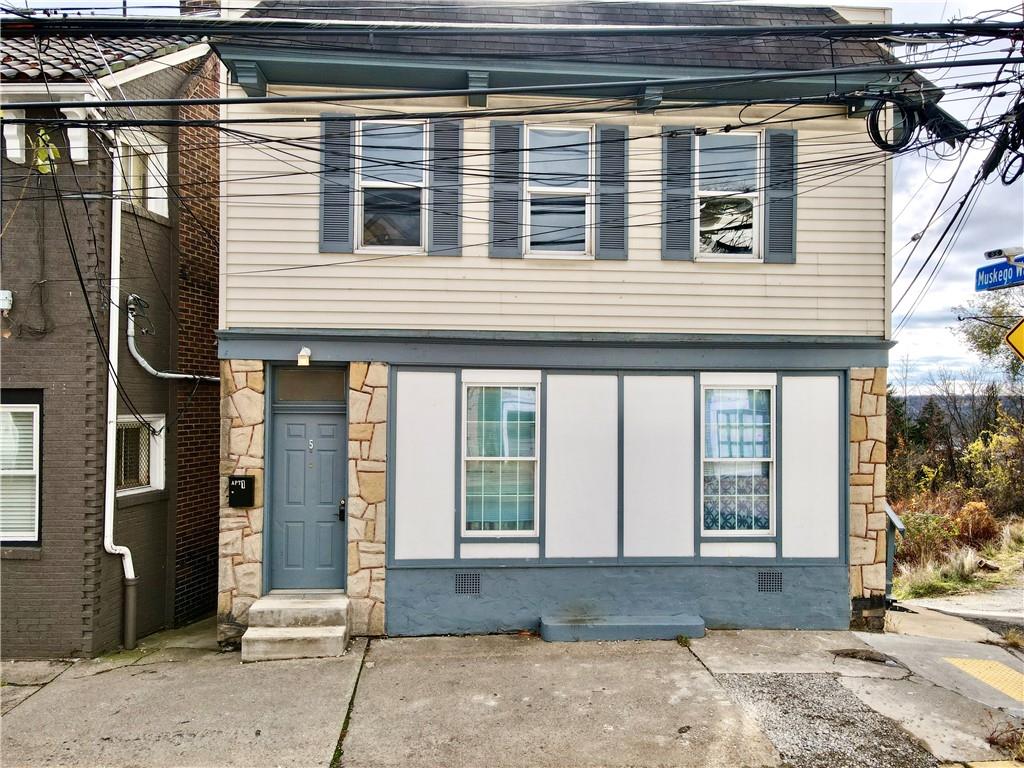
<point x="506" y="190"/>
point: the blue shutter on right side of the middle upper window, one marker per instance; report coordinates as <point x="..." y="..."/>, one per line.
<point x="613" y="165"/>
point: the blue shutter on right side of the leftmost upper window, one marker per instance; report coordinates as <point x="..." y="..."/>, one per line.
<point x="445" y="235"/>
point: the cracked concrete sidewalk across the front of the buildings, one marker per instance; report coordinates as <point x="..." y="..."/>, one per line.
<point x="805" y="700"/>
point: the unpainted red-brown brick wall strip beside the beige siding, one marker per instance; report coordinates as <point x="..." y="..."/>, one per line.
<point x="198" y="434"/>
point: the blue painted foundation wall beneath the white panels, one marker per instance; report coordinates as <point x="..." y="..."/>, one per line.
<point x="424" y="602"/>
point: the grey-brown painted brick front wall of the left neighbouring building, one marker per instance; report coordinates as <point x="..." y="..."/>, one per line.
<point x="49" y="592"/>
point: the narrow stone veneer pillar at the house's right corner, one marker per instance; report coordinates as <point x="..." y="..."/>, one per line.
<point x="868" y="489"/>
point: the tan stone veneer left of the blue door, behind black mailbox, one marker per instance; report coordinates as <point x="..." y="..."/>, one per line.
<point x="241" y="553"/>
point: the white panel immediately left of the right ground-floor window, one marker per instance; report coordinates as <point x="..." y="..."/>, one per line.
<point x="658" y="464"/>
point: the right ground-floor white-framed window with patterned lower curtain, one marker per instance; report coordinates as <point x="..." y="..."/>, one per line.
<point x="738" y="461"/>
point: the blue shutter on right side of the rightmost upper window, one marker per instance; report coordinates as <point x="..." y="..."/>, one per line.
<point x="781" y="197"/>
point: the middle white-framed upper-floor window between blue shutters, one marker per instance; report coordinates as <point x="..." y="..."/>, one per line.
<point x="560" y="192"/>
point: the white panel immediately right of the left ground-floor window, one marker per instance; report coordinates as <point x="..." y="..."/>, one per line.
<point x="582" y="475"/>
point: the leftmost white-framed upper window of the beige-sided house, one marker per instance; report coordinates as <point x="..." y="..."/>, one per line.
<point x="392" y="185"/>
